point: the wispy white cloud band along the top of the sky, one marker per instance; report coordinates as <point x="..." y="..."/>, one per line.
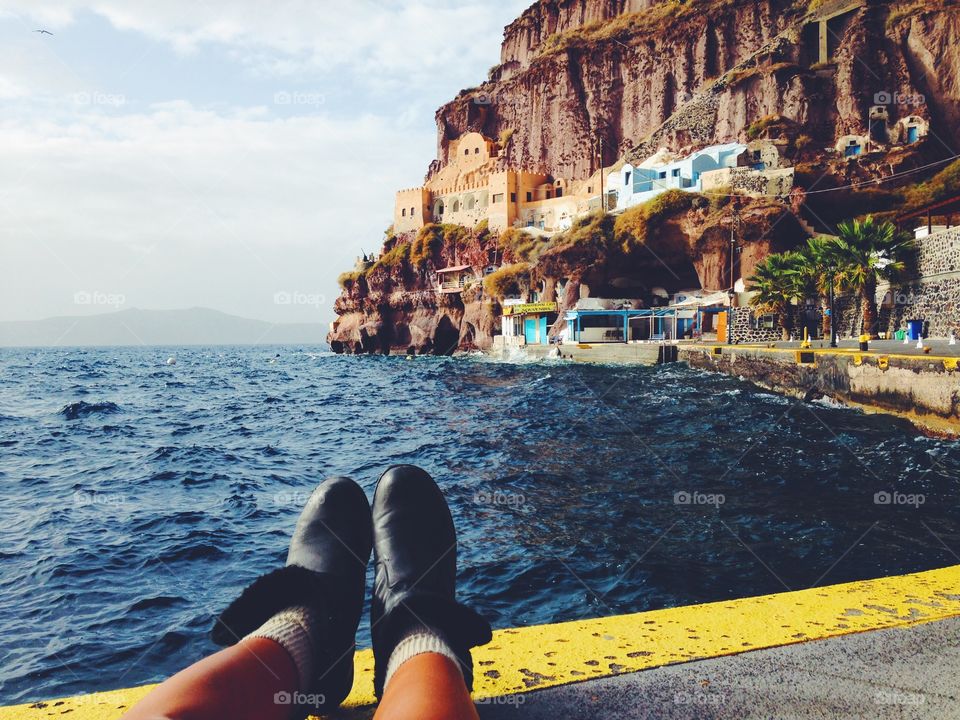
<point x="383" y="42"/>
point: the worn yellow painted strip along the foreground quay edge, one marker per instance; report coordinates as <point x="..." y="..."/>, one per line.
<point x="540" y="656"/>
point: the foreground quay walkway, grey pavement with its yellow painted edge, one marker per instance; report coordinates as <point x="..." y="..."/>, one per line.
<point x="883" y="648"/>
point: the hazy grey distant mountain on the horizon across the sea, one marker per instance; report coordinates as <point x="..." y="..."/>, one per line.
<point x="194" y="326"/>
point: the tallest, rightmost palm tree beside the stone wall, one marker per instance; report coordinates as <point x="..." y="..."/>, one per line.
<point x="868" y="251"/>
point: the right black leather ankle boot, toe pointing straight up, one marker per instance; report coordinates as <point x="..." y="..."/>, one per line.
<point x="415" y="551"/>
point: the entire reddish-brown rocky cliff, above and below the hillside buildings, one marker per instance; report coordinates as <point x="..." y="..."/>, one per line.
<point x="645" y="74"/>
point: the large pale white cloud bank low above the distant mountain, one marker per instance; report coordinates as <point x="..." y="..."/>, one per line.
<point x="181" y="206"/>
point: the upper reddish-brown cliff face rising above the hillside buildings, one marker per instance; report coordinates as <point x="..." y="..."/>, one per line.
<point x="688" y="78"/>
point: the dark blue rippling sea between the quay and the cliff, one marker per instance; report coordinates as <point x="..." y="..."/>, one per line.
<point x="139" y="497"/>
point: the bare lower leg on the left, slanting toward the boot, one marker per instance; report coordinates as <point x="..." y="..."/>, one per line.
<point x="238" y="682"/>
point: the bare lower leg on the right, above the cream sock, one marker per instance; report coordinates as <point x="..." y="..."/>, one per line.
<point x="426" y="687"/>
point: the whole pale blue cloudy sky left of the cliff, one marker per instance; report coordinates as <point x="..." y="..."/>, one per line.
<point x="234" y="155"/>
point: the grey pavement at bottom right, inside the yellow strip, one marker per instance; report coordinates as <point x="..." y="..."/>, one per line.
<point x="908" y="672"/>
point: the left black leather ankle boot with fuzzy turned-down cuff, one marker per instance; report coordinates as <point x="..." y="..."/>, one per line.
<point x="325" y="571"/>
